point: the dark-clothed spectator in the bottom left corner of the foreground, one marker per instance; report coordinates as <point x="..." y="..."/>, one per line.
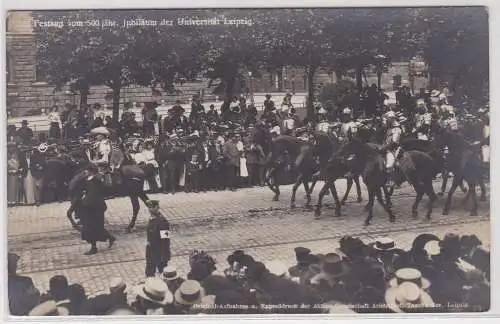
<point x="23" y="295"/>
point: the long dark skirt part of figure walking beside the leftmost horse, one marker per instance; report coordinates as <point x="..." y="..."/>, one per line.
<point x="93" y="225"/>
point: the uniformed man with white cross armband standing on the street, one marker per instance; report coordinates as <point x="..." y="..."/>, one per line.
<point x="158" y="234"/>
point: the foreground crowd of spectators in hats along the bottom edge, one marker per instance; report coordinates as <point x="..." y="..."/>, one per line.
<point x="451" y="274"/>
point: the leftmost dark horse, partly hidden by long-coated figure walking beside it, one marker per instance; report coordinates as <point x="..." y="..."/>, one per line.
<point x="129" y="180"/>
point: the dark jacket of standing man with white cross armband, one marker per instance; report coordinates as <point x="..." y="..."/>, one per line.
<point x="158" y="234"/>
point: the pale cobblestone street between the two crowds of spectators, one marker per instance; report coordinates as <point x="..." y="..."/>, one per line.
<point x="217" y="222"/>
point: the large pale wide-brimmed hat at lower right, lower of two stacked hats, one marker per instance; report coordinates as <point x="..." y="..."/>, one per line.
<point x="407" y="295"/>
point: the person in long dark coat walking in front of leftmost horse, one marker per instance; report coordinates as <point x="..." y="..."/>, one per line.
<point x="91" y="208"/>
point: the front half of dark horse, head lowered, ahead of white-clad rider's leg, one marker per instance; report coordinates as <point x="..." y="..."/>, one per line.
<point x="367" y="158"/>
